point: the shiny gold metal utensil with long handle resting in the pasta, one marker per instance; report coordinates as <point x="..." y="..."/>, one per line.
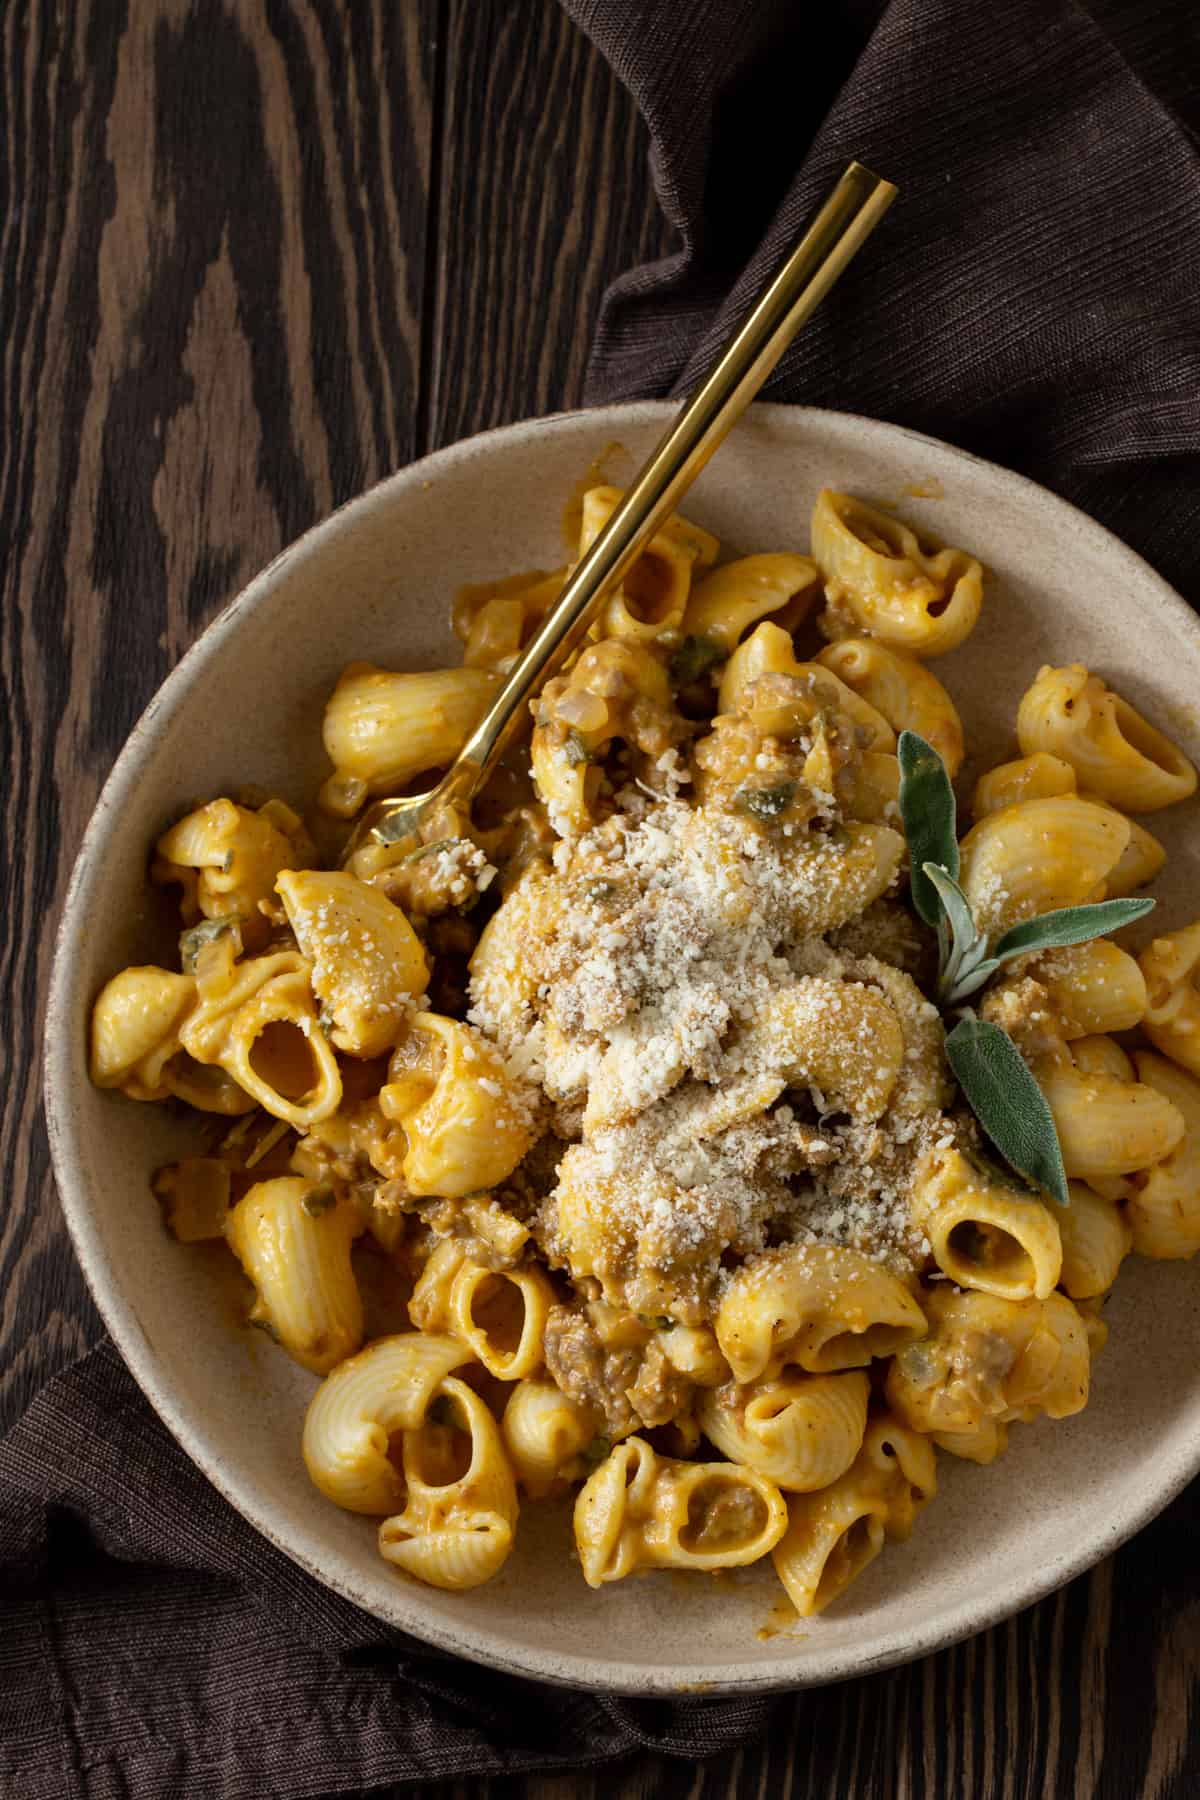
<point x="843" y="226"/>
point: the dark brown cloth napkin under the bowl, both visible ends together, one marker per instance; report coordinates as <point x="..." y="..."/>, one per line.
<point x="1035" y="296"/>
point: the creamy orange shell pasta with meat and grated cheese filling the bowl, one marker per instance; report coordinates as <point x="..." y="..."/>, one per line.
<point x="602" y="1149"/>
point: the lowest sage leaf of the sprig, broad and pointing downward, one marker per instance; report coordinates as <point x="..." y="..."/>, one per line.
<point x="1008" y="1102"/>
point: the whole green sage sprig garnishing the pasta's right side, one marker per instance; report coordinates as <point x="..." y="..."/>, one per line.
<point x="987" y="1063"/>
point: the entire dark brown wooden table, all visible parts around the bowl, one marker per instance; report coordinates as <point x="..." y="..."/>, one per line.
<point x="255" y="255"/>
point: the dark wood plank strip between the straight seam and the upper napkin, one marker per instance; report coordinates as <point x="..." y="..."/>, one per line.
<point x="544" y="197"/>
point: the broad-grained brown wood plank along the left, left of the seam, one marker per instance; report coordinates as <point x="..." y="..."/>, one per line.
<point x="211" y="274"/>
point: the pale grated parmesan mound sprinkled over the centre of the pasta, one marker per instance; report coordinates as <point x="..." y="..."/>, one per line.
<point x="632" y="984"/>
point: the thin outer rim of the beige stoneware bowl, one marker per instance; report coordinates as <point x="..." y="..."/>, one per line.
<point x="481" y="1644"/>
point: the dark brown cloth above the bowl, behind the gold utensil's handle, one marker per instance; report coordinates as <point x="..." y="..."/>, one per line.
<point x="1034" y="292"/>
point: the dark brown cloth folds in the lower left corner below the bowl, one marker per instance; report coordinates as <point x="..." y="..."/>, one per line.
<point x="154" y="1646"/>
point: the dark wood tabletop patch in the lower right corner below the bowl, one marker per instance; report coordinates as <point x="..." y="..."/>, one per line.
<point x="1089" y="1695"/>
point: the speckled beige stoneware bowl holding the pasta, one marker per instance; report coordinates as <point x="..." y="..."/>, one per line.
<point x="246" y="705"/>
